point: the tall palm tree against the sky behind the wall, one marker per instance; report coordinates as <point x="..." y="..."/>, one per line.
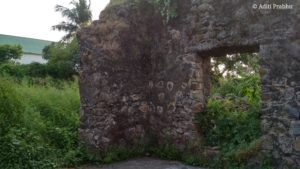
<point x="78" y="16"/>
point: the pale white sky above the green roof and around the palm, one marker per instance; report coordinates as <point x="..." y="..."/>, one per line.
<point x="34" y="18"/>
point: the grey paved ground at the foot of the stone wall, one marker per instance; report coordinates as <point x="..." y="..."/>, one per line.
<point x="143" y="163"/>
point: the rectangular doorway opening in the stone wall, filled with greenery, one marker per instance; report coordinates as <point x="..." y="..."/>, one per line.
<point x="231" y="120"/>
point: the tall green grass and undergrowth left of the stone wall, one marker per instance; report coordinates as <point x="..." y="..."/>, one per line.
<point x="41" y="131"/>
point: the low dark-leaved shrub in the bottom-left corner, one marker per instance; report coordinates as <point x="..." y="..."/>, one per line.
<point x="22" y="148"/>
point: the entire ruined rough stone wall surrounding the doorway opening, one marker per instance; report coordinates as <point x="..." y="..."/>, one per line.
<point x="144" y="80"/>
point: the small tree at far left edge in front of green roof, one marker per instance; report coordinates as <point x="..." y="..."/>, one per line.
<point x="8" y="52"/>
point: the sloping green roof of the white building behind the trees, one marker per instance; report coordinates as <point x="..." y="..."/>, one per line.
<point x="29" y="45"/>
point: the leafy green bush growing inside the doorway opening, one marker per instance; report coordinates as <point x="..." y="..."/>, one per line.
<point x="231" y="120"/>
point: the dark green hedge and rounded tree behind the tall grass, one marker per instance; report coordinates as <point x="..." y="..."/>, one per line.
<point x="63" y="61"/>
